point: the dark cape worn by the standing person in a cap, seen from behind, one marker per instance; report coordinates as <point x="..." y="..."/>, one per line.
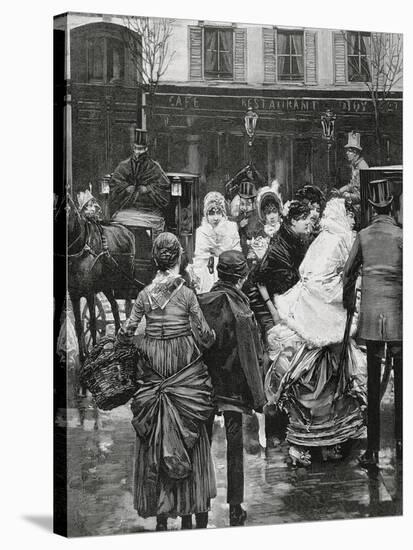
<point x="234" y="360"/>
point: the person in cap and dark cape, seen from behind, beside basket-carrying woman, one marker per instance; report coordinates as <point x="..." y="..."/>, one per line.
<point x="234" y="363"/>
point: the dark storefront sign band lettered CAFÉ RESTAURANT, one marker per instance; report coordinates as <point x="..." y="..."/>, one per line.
<point x="198" y="103"/>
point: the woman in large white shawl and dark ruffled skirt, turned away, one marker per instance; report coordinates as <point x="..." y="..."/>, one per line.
<point x="323" y="397"/>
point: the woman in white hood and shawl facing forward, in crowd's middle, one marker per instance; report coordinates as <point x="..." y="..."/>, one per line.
<point x="215" y="235"/>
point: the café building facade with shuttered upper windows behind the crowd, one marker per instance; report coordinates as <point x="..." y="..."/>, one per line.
<point x="288" y="76"/>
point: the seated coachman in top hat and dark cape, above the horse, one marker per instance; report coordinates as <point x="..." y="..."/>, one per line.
<point x="139" y="182"/>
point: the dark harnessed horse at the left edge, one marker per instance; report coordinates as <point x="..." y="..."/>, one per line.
<point x="100" y="259"/>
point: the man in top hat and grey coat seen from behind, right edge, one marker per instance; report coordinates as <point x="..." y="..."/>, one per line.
<point x="378" y="249"/>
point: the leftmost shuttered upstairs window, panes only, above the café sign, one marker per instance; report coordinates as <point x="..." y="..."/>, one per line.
<point x="218" y="53"/>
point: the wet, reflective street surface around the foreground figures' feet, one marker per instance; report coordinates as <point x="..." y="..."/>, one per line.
<point x="100" y="474"/>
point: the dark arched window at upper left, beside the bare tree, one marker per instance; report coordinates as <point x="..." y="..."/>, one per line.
<point x="105" y="60"/>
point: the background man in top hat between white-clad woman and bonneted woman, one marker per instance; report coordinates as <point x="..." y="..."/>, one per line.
<point x="249" y="224"/>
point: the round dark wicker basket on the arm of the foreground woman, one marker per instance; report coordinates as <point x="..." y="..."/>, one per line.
<point x="111" y="374"/>
